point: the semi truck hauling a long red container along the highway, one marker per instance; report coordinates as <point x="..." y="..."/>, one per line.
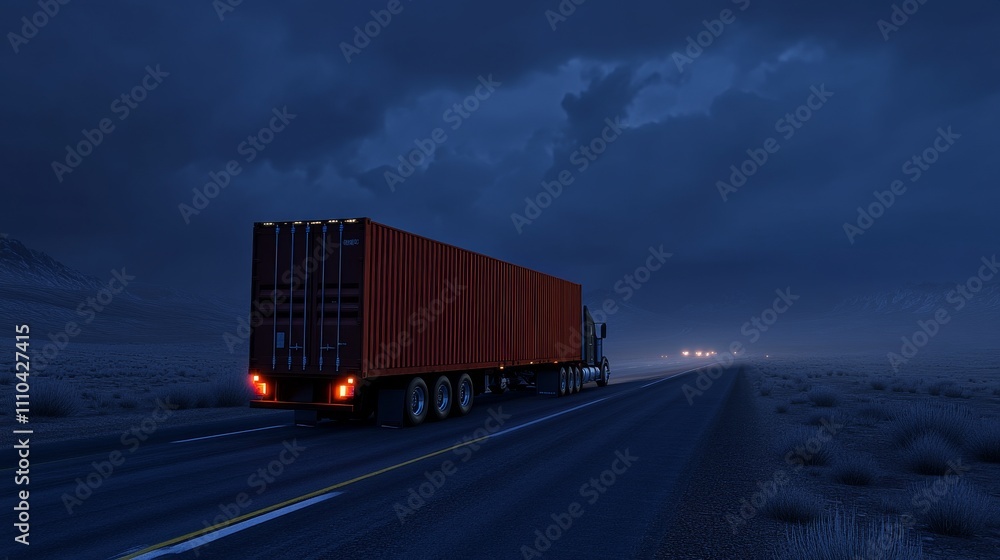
<point x="350" y="318"/>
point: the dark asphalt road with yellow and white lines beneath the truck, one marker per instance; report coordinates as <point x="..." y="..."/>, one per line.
<point x="592" y="475"/>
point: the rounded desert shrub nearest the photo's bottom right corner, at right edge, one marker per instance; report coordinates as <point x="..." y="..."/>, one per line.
<point x="962" y="511"/>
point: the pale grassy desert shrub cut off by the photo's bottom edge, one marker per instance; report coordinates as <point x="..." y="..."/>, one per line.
<point x="842" y="537"/>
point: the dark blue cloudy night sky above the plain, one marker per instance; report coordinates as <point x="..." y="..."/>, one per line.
<point x="656" y="184"/>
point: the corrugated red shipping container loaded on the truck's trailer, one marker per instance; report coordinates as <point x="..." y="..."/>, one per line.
<point x="338" y="297"/>
